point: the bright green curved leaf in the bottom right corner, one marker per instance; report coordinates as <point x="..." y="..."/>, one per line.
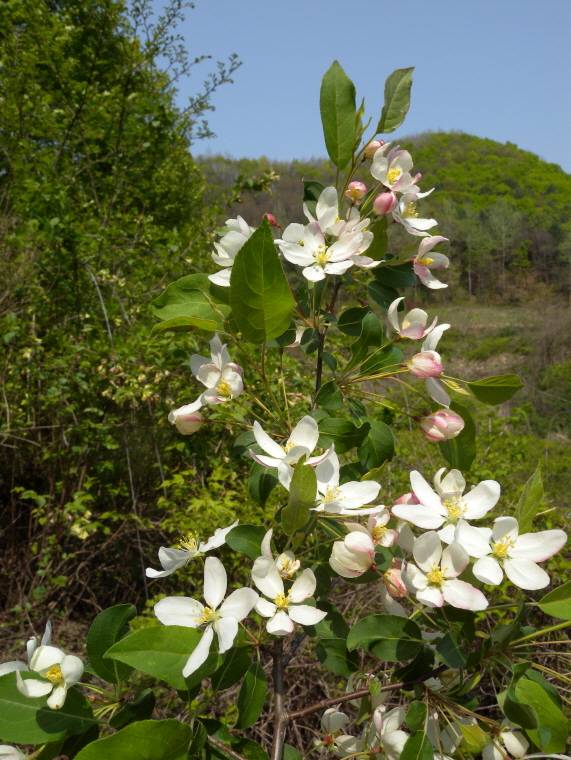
<point x="552" y="725"/>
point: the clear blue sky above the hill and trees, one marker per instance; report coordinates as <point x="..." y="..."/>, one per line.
<point x="494" y="68"/>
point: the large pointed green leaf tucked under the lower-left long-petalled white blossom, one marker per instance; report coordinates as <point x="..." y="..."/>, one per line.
<point x="160" y="651"/>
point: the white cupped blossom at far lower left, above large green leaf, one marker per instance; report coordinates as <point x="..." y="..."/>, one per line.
<point x="58" y="671"/>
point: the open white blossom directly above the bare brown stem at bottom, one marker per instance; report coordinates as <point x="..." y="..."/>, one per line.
<point x="284" y="608"/>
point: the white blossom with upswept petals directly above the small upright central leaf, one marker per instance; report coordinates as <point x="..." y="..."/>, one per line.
<point x="301" y="442"/>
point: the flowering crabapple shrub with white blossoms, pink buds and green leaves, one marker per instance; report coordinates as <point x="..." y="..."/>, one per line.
<point x="433" y="557"/>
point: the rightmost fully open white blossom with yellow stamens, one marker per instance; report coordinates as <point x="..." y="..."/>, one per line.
<point x="513" y="554"/>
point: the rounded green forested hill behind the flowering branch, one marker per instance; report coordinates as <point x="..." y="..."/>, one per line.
<point x="506" y="211"/>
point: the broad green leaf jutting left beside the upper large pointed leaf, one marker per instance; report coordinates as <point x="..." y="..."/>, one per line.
<point x="190" y="303"/>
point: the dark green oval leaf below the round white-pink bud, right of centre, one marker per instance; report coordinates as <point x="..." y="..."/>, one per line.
<point x="389" y="637"/>
